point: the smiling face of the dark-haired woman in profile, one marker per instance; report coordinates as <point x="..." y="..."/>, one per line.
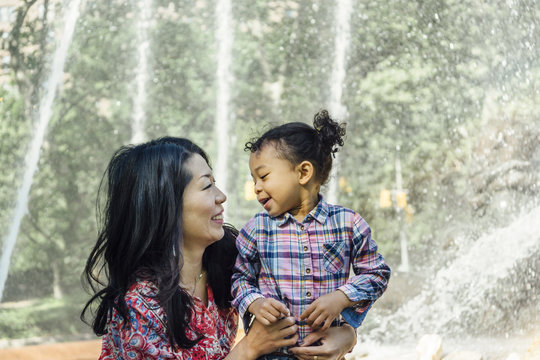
<point x="202" y="207"/>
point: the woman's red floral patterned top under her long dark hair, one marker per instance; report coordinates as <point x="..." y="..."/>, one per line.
<point x="145" y="337"/>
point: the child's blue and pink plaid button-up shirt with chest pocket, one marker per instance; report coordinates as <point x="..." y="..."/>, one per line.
<point x="296" y="263"/>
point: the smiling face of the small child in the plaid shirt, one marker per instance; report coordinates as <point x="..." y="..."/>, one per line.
<point x="276" y="181"/>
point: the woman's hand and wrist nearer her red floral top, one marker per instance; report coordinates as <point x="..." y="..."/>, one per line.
<point x="262" y="339"/>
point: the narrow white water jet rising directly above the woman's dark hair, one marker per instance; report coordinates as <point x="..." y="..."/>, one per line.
<point x="141" y="78"/>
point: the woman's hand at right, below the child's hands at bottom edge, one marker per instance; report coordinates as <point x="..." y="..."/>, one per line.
<point x="335" y="343"/>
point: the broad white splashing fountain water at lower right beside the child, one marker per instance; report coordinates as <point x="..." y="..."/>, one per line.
<point x="481" y="300"/>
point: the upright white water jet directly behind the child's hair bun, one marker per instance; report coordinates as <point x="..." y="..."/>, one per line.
<point x="337" y="80"/>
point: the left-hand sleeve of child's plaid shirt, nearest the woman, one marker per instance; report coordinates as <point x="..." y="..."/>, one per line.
<point x="245" y="288"/>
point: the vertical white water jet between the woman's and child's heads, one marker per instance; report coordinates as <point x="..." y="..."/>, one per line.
<point x="224" y="38"/>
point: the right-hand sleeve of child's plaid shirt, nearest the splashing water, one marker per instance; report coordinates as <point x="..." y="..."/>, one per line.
<point x="371" y="273"/>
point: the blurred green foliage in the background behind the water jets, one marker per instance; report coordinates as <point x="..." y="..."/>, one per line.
<point x="434" y="83"/>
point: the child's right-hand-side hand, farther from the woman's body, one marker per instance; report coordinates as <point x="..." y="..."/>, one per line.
<point x="325" y="309"/>
